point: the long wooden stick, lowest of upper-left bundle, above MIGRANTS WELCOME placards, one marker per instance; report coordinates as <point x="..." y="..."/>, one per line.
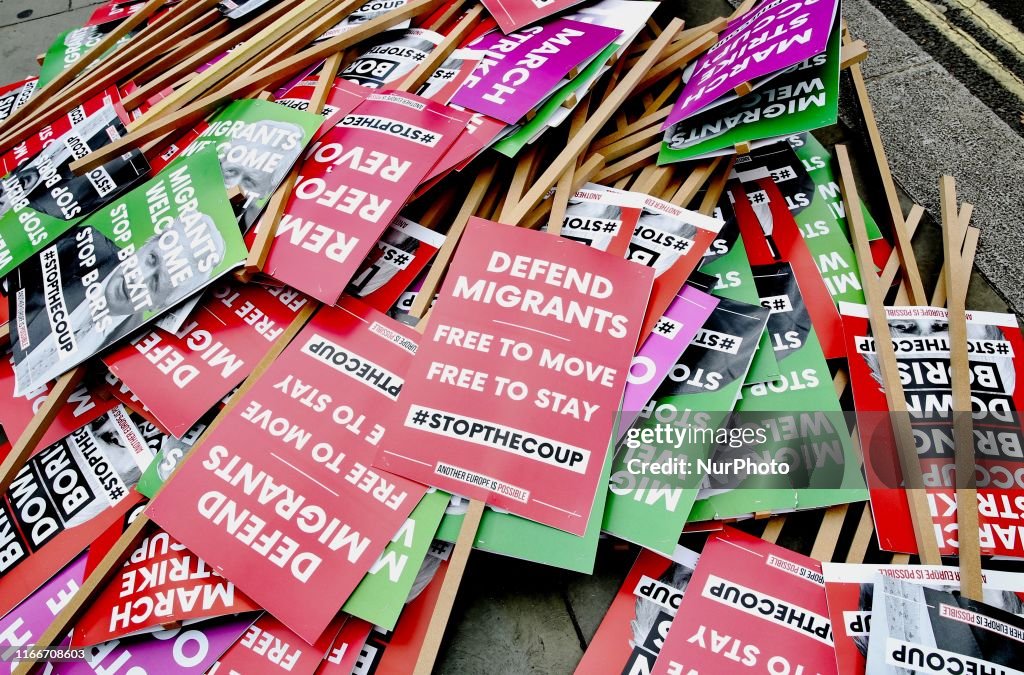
<point x="190" y="114"/>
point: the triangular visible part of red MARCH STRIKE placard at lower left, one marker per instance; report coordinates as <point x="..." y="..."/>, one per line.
<point x="162" y="582"/>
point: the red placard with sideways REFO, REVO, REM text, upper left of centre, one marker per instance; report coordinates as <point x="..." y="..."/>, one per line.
<point x="352" y="184"/>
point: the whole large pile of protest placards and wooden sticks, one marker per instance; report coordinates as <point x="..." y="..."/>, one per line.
<point x="305" y="301"/>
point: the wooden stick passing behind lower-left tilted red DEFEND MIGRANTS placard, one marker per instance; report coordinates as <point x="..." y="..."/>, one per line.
<point x="131" y="538"/>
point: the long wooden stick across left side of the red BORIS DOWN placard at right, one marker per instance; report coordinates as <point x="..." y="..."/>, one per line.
<point x="875" y="298"/>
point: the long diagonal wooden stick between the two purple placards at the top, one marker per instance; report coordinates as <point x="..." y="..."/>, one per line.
<point x="602" y="116"/>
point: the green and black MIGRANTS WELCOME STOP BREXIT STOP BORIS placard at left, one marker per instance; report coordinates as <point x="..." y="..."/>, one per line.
<point x="135" y="259"/>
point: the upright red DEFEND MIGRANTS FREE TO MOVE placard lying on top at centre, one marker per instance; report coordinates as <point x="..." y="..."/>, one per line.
<point x="515" y="397"/>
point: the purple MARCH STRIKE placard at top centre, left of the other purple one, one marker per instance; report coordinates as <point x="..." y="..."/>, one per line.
<point x="521" y="70"/>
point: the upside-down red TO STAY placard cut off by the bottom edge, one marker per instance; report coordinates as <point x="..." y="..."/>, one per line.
<point x="751" y="607"/>
